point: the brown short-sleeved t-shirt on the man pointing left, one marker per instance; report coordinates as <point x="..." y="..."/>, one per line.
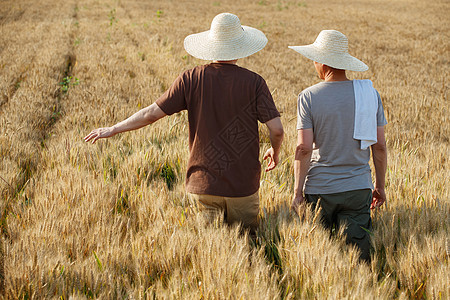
<point x="224" y="103"/>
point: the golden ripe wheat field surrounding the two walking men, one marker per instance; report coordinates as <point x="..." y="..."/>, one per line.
<point x="112" y="220"/>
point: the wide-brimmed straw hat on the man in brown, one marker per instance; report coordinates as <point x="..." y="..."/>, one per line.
<point x="226" y="40"/>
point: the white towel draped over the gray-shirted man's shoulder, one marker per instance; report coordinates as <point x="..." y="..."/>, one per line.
<point x="366" y="106"/>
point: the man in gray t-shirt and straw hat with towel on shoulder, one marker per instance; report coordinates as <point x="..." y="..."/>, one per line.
<point x="336" y="120"/>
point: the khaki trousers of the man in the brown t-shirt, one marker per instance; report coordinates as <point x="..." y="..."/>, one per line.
<point x="243" y="210"/>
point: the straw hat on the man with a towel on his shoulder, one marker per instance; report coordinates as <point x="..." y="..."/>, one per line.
<point x="331" y="49"/>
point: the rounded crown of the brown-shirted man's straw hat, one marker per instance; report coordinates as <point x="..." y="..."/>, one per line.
<point x="225" y="27"/>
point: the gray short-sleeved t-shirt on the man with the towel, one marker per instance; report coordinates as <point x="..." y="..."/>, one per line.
<point x="337" y="163"/>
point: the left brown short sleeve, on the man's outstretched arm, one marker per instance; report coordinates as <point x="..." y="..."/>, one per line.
<point x="174" y="100"/>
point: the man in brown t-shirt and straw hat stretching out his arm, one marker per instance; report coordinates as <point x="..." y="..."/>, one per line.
<point x="224" y="104"/>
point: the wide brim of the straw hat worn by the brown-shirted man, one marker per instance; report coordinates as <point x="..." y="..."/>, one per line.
<point x="200" y="45"/>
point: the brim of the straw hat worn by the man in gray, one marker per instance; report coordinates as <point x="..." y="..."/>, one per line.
<point x="343" y="61"/>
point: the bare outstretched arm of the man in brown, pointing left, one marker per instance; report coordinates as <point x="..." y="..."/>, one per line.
<point x="145" y="116"/>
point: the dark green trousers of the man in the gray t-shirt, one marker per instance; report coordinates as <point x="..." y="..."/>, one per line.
<point x="351" y="209"/>
